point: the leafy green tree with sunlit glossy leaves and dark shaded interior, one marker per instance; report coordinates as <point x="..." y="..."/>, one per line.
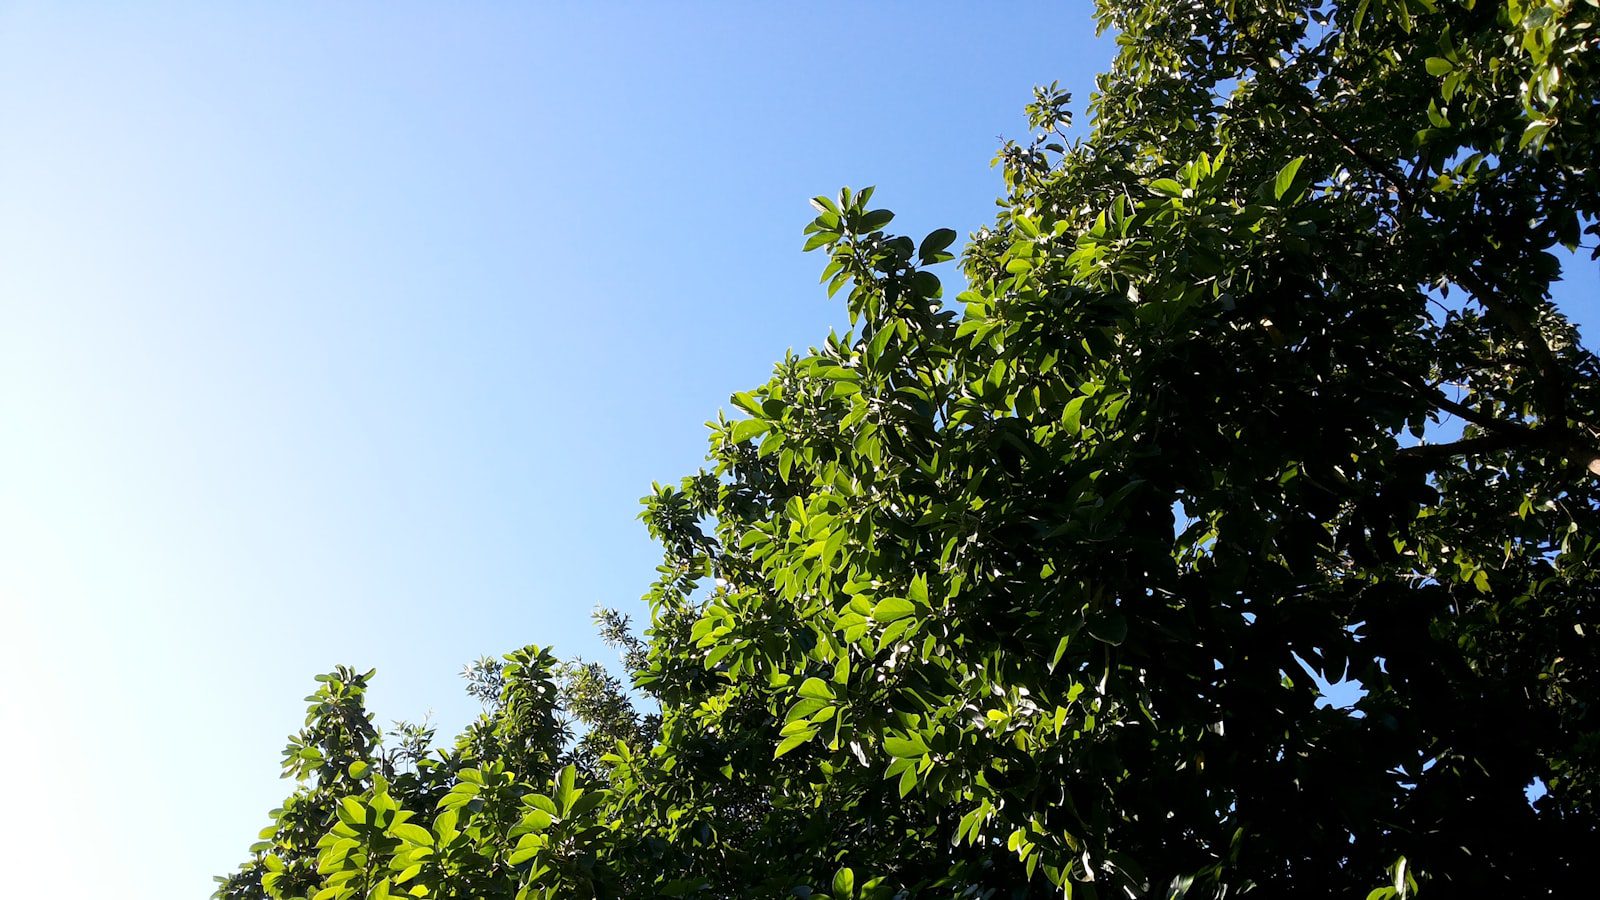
<point x="1257" y="388"/>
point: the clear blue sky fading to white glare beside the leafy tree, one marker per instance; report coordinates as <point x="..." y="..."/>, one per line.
<point x="353" y="334"/>
